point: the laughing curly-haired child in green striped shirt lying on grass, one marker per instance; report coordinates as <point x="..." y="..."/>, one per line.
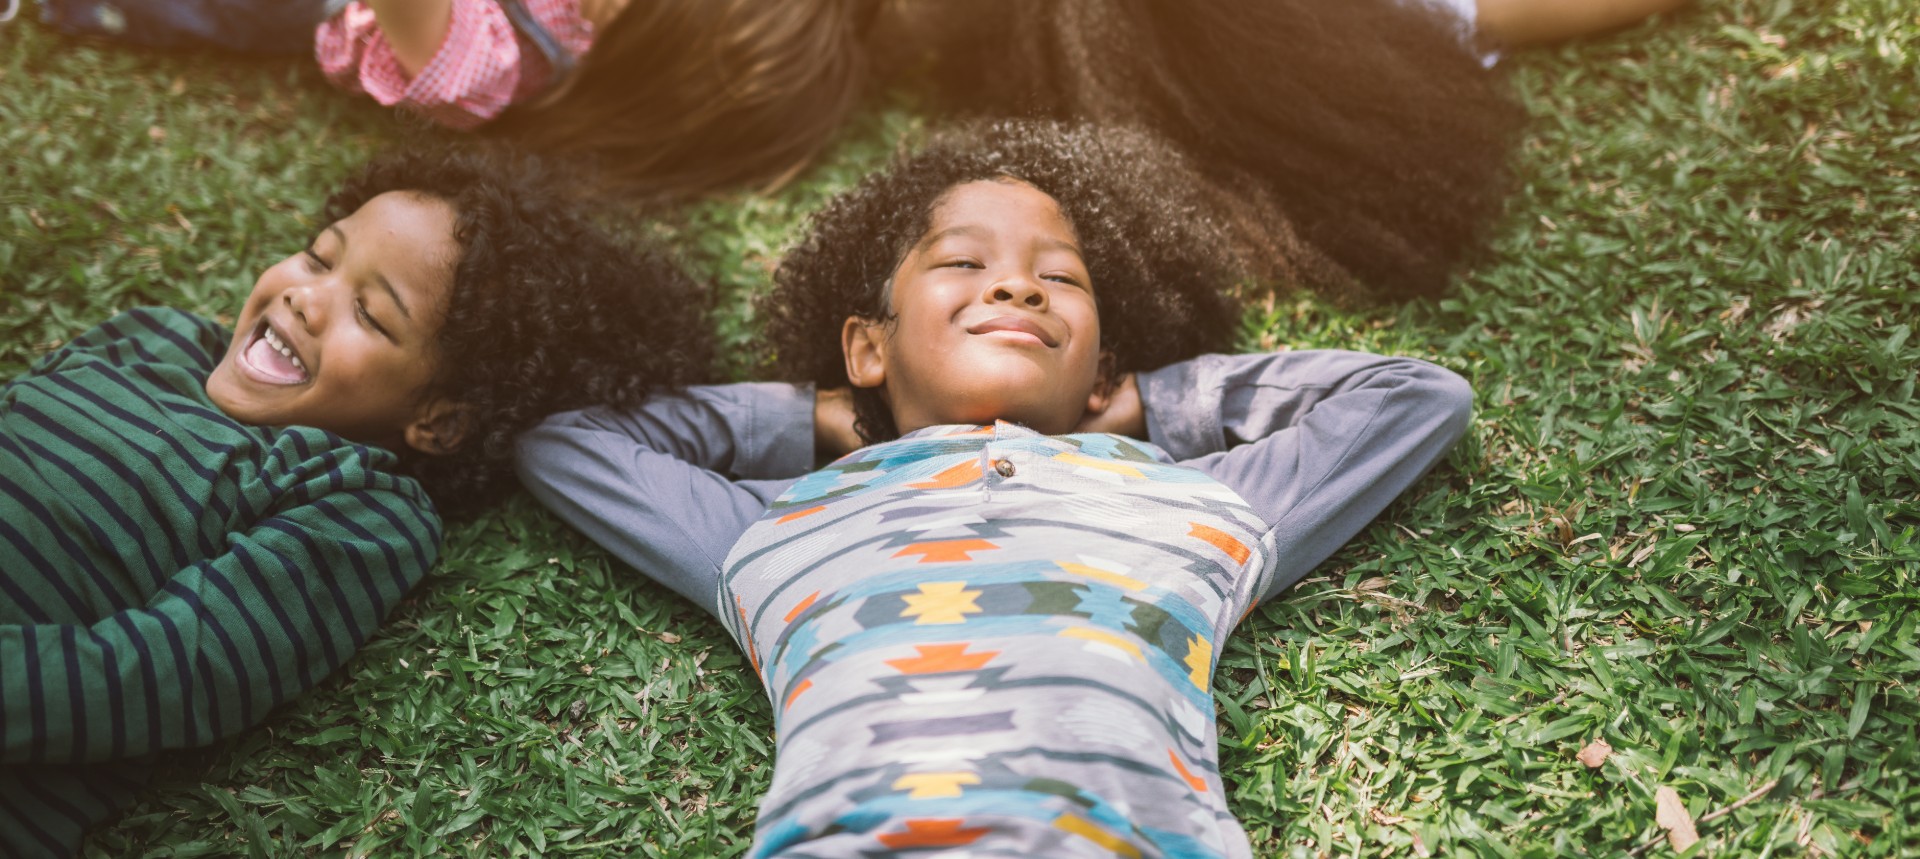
<point x="199" y="526"/>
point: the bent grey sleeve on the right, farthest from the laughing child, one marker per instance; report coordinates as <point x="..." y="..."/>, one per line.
<point x="1316" y="441"/>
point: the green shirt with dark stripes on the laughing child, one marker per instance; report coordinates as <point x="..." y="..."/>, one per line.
<point x="170" y="576"/>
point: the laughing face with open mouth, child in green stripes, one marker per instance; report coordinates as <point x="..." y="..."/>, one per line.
<point x="343" y="335"/>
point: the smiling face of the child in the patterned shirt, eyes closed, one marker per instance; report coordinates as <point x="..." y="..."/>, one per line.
<point x="994" y="318"/>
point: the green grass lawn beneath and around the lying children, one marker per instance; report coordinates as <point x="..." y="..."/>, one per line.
<point x="1687" y="520"/>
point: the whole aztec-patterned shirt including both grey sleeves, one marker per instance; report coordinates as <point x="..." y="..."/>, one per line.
<point x="982" y="641"/>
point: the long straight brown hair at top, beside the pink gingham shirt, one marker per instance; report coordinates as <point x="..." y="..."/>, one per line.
<point x="684" y="97"/>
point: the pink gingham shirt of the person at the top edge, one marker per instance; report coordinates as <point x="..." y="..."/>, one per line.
<point x="481" y="68"/>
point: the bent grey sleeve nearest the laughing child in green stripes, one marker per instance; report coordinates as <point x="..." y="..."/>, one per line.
<point x="673" y="485"/>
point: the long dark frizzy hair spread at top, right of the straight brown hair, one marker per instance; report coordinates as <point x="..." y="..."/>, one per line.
<point x="1370" y="122"/>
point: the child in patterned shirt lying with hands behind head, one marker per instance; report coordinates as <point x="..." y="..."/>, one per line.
<point x="994" y="627"/>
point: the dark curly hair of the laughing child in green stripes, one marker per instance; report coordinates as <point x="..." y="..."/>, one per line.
<point x="546" y="314"/>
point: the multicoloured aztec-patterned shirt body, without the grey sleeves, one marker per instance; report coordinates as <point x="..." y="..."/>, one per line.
<point x="984" y="635"/>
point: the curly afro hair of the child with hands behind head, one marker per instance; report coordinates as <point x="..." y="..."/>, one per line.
<point x="1163" y="247"/>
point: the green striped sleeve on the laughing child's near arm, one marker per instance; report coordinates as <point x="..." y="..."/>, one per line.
<point x="224" y="641"/>
